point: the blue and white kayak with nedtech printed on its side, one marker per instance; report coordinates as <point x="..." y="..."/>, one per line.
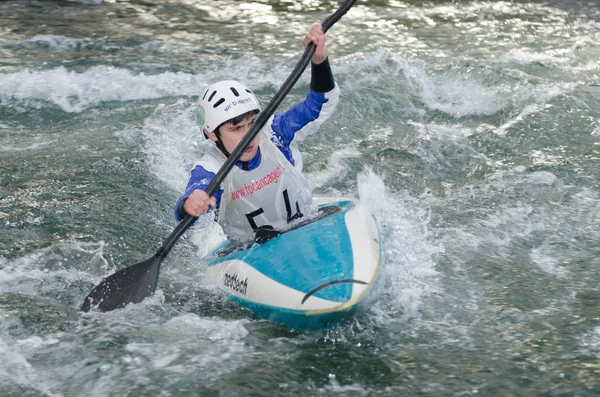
<point x="311" y="277"/>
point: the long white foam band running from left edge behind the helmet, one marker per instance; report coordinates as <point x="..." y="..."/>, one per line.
<point x="75" y="92"/>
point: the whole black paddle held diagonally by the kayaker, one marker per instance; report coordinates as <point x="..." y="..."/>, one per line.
<point x="135" y="283"/>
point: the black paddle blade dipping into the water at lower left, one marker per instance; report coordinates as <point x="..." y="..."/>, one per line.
<point x="130" y="285"/>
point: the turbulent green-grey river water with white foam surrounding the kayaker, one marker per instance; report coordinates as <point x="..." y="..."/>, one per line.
<point x="471" y="129"/>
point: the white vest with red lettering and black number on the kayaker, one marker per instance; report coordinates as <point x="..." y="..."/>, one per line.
<point x="275" y="193"/>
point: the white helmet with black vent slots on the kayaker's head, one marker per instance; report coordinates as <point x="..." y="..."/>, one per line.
<point x="223" y="101"/>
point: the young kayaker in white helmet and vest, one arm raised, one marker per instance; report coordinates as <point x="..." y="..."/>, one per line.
<point x="265" y="187"/>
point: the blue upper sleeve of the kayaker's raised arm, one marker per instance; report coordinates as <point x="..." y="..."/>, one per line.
<point x="286" y="125"/>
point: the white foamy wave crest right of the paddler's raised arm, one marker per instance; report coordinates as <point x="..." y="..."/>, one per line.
<point x="456" y="92"/>
